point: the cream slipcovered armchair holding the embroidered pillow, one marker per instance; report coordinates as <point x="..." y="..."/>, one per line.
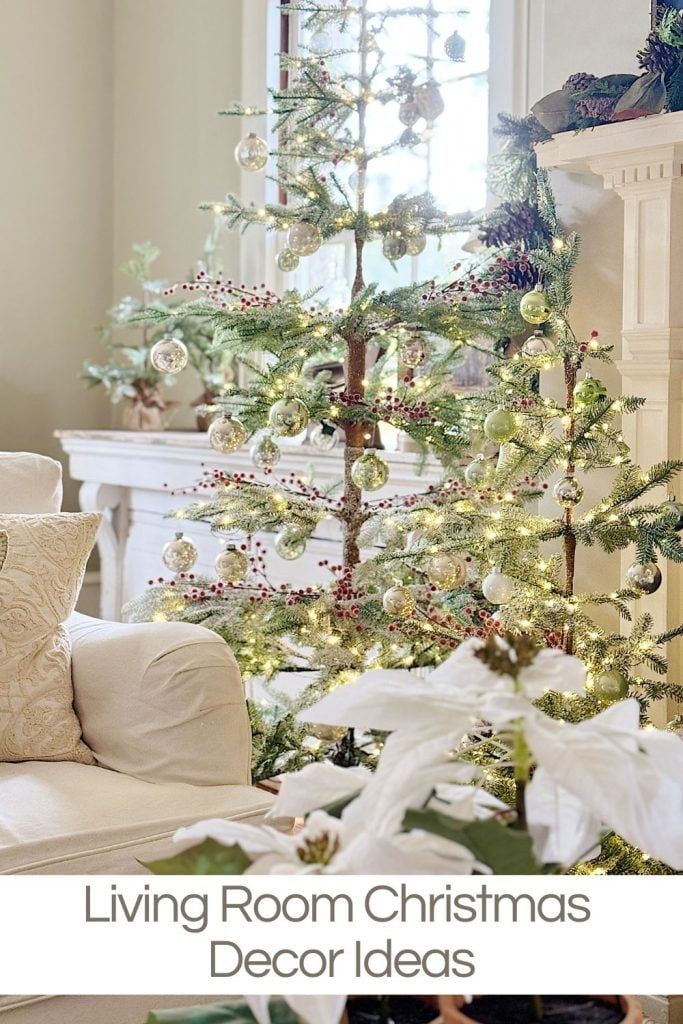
<point x="162" y="708"/>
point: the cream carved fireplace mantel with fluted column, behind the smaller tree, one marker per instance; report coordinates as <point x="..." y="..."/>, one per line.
<point x="643" y="161"/>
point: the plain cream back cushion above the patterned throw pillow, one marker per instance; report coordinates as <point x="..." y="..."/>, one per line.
<point x="29" y="483"/>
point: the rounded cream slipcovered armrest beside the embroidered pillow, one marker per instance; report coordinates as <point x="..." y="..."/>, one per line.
<point x="162" y="702"/>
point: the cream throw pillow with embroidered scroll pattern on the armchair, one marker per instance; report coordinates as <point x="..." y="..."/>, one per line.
<point x="42" y="563"/>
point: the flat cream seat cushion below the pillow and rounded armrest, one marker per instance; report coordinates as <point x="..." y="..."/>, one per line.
<point x="69" y="819"/>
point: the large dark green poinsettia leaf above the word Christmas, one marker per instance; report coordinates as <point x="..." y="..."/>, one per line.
<point x="504" y="850"/>
